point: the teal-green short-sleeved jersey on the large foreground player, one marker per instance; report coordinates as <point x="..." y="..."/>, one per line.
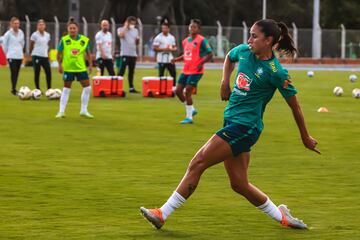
<point x="255" y="84"/>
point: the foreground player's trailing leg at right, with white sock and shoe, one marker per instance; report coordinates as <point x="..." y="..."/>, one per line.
<point x="236" y="168"/>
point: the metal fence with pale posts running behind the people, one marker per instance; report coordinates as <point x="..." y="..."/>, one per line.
<point x="335" y="43"/>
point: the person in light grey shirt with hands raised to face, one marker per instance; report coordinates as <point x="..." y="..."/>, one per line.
<point x="129" y="39"/>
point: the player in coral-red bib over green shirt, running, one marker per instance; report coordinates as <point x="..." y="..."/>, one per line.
<point x="197" y="52"/>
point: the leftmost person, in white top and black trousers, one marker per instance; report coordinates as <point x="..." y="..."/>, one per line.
<point x="13" y="44"/>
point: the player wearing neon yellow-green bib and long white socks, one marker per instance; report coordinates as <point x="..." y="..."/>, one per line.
<point x="71" y="51"/>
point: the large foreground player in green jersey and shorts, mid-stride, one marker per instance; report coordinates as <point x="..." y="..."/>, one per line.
<point x="259" y="75"/>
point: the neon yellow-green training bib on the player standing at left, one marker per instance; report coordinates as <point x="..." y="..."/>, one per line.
<point x="73" y="53"/>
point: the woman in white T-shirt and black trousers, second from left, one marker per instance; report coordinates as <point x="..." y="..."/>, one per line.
<point x="39" y="48"/>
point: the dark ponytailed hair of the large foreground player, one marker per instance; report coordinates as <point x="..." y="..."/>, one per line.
<point x="280" y="33"/>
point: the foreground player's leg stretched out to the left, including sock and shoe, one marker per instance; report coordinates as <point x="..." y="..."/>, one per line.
<point x="213" y="152"/>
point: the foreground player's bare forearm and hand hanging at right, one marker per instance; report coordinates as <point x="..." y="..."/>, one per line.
<point x="308" y="141"/>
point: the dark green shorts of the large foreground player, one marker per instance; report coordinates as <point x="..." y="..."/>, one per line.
<point x="240" y="138"/>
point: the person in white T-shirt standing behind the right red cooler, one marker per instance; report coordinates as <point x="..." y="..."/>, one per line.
<point x="164" y="45"/>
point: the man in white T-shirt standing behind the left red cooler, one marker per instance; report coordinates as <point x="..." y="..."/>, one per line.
<point x="103" y="40"/>
